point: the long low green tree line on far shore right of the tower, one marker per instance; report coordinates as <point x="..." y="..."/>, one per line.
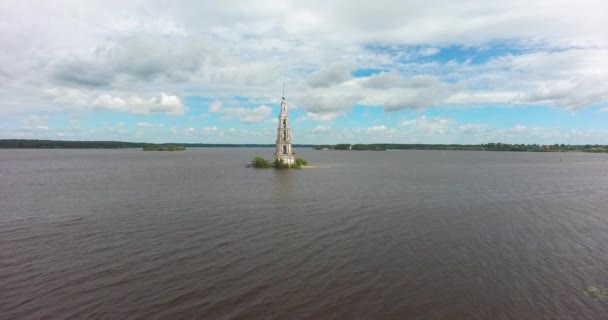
<point x="469" y="147"/>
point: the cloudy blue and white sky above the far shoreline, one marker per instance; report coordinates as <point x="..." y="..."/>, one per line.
<point x="354" y="71"/>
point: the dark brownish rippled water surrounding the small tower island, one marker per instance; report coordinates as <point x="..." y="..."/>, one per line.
<point x="124" y="234"/>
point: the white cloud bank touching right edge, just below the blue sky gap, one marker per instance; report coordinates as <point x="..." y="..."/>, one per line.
<point x="570" y="79"/>
